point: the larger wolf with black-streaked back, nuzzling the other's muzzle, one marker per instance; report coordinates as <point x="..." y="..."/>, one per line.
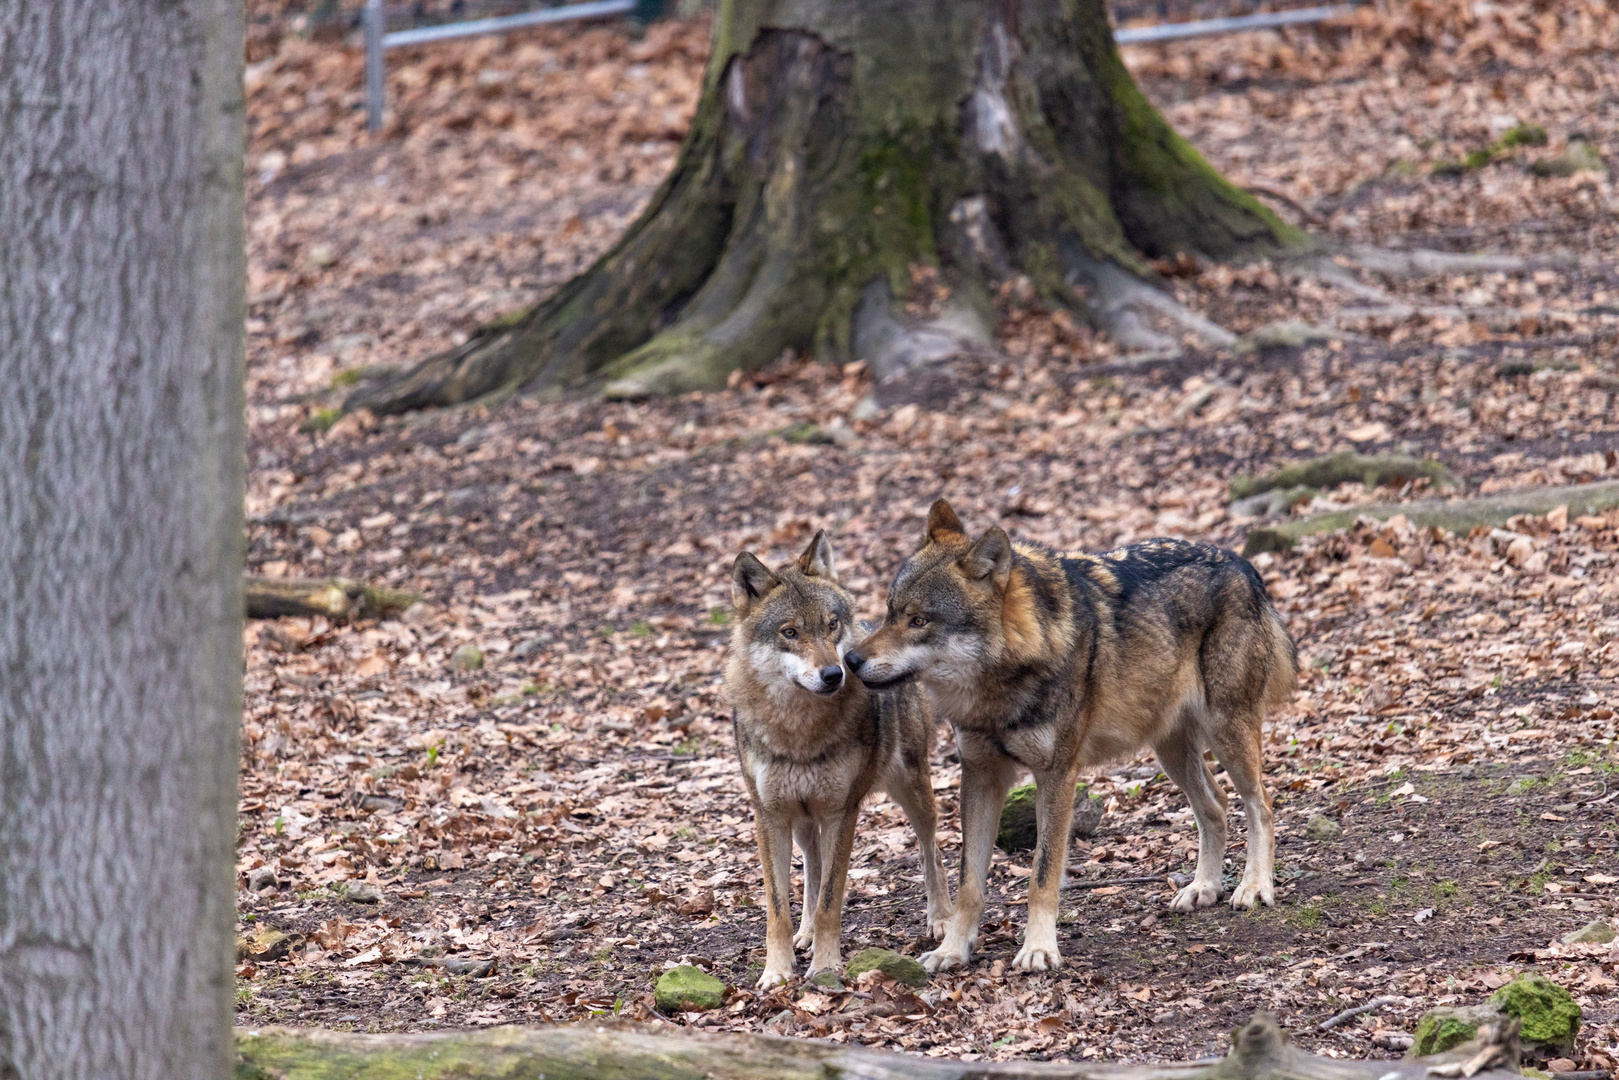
<point x="1055" y="663"/>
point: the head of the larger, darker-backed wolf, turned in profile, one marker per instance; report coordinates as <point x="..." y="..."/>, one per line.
<point x="945" y="619"/>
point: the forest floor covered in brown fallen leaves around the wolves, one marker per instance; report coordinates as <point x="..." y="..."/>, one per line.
<point x="571" y="810"/>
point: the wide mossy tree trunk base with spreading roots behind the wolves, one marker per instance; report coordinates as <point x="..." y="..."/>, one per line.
<point x="839" y="143"/>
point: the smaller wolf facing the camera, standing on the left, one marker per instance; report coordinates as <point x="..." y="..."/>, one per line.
<point x="814" y="744"/>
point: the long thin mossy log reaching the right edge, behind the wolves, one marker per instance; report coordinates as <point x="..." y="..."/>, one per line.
<point x="1453" y="516"/>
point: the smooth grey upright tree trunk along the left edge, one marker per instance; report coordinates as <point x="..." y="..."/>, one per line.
<point x="122" y="459"/>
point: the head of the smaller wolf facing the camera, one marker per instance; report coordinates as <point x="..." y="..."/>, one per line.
<point x="796" y="624"/>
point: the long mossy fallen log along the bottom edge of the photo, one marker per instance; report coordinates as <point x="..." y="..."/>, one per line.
<point x="1260" y="1052"/>
